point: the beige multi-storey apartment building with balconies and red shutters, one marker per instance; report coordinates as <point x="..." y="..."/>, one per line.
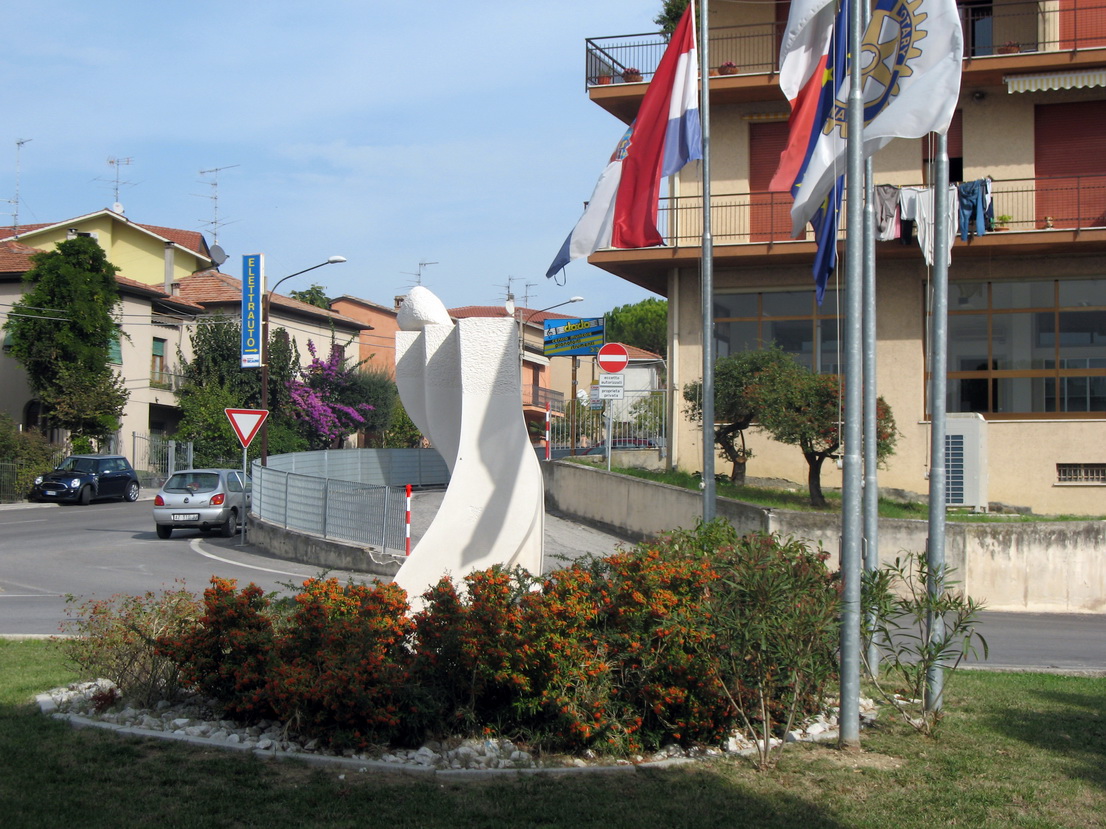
<point x="1027" y="369"/>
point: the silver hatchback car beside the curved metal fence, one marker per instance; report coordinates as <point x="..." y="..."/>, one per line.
<point x="203" y="499"/>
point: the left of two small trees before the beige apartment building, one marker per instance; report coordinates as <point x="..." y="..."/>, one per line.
<point x="735" y="403"/>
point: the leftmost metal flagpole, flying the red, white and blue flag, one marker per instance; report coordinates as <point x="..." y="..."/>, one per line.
<point x="707" y="277"/>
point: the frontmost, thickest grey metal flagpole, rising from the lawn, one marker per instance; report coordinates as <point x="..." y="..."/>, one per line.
<point x="850" y="715"/>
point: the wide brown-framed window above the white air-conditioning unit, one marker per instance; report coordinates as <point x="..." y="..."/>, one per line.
<point x="1028" y="349"/>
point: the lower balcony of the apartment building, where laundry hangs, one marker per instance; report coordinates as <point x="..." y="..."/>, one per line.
<point x="750" y="228"/>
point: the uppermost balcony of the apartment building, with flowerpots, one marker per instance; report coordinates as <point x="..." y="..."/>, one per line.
<point x="1000" y="38"/>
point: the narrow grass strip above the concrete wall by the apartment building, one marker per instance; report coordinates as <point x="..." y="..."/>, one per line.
<point x="800" y="500"/>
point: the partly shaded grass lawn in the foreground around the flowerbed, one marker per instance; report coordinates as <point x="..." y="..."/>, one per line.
<point x="1015" y="751"/>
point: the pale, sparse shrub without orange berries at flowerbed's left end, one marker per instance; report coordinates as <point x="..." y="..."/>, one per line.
<point x="117" y="639"/>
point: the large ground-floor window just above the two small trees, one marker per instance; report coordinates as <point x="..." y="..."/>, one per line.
<point x="790" y="319"/>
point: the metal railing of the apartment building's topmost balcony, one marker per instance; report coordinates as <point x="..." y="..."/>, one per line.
<point x="995" y="29"/>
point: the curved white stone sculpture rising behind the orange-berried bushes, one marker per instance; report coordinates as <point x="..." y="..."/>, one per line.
<point x="461" y="385"/>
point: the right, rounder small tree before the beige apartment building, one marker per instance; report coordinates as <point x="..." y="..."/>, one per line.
<point x="805" y="410"/>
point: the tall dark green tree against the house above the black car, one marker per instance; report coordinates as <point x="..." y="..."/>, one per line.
<point x="62" y="332"/>
